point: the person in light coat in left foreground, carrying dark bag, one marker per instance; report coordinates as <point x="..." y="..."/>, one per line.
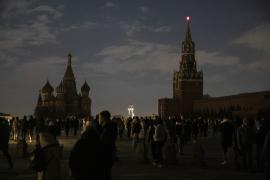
<point x="51" y="153"/>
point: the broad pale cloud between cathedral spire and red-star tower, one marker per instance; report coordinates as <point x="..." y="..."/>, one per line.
<point x="135" y="57"/>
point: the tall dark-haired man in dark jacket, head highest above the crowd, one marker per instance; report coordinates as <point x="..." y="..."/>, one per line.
<point x="108" y="134"/>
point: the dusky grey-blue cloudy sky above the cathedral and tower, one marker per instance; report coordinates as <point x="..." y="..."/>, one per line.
<point x="127" y="50"/>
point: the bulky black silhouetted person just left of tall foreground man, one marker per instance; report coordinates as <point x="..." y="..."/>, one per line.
<point x="84" y="160"/>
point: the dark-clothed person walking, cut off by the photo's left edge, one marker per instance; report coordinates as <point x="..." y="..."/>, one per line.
<point x="4" y="139"/>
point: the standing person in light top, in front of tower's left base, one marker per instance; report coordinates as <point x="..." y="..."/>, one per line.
<point x="159" y="138"/>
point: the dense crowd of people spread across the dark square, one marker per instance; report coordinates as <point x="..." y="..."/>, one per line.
<point x="95" y="152"/>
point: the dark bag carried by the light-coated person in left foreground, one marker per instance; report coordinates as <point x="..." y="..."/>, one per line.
<point x="37" y="160"/>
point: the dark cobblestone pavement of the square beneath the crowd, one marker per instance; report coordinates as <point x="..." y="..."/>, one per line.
<point x="131" y="167"/>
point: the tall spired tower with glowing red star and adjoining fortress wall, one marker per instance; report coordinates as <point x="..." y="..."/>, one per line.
<point x="188" y="92"/>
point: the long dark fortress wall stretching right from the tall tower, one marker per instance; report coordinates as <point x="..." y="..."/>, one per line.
<point x="243" y="105"/>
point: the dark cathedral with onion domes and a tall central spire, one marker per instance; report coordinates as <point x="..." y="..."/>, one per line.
<point x="65" y="101"/>
